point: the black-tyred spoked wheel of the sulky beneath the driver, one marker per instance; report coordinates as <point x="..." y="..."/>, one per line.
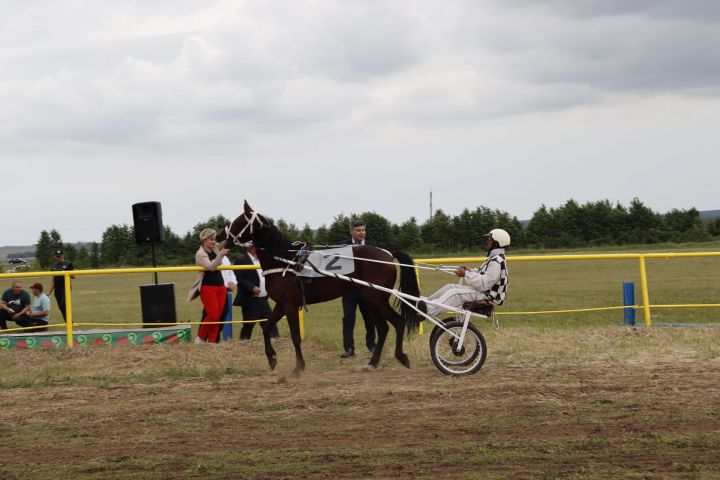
<point x="453" y="359"/>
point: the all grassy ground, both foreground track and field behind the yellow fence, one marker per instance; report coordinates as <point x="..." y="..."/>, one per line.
<point x="561" y="396"/>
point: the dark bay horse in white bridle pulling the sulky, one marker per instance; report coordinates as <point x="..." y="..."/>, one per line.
<point x="285" y="289"/>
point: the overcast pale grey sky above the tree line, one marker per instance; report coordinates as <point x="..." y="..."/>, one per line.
<point x="312" y="108"/>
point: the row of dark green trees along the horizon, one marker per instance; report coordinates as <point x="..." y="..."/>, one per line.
<point x="572" y="225"/>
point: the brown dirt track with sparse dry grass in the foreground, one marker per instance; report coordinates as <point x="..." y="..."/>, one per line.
<point x="600" y="420"/>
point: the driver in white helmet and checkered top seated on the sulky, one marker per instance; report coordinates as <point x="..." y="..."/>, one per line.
<point x="487" y="283"/>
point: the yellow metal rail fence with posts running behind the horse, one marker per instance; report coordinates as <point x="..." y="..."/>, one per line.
<point x="645" y="306"/>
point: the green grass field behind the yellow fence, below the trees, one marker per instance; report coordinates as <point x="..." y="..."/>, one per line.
<point x="535" y="286"/>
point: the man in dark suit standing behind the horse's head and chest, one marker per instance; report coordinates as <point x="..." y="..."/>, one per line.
<point x="251" y="295"/>
